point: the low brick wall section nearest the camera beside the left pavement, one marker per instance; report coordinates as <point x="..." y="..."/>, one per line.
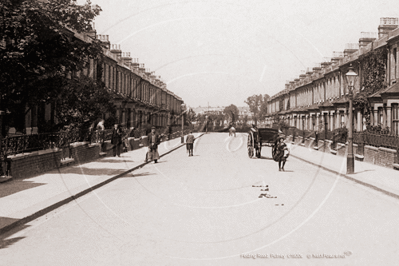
<point x="35" y="163"/>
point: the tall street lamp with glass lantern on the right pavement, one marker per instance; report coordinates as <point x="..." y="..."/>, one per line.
<point x="350" y="161"/>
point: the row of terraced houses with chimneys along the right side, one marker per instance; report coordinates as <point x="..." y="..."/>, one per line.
<point x="319" y="97"/>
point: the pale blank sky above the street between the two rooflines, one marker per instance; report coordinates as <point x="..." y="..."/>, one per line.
<point x="220" y="52"/>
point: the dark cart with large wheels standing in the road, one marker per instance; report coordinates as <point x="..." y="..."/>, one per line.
<point x="261" y="137"/>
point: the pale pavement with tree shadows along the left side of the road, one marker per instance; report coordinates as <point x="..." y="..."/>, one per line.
<point x="23" y="200"/>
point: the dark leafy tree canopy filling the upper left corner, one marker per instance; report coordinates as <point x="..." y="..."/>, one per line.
<point x="41" y="50"/>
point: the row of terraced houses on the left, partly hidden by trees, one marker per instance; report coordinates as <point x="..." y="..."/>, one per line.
<point x="139" y="95"/>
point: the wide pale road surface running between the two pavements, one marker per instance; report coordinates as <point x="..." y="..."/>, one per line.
<point x="206" y="210"/>
